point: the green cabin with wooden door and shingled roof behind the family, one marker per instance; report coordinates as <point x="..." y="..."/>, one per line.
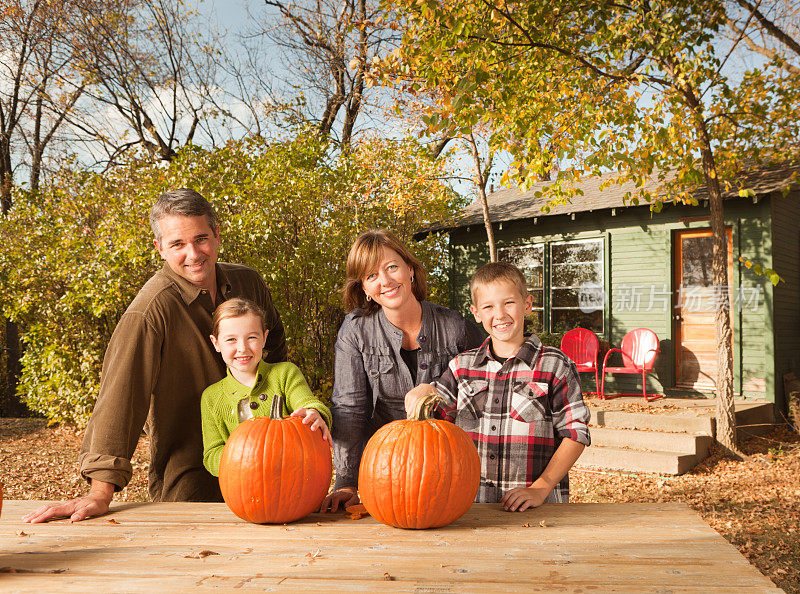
<point x="602" y="264"/>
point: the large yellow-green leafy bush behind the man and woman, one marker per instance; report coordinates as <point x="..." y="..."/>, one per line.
<point x="76" y="253"/>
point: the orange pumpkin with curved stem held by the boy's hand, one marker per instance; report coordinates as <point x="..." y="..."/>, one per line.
<point x="421" y="473"/>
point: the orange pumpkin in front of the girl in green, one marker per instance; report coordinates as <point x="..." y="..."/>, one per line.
<point x="274" y="470"/>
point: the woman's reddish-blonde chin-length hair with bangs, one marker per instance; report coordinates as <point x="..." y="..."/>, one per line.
<point x="365" y="255"/>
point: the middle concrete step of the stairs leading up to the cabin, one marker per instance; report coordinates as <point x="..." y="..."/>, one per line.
<point x="681" y="443"/>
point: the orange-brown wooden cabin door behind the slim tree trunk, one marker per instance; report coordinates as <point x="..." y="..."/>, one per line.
<point x="695" y="302"/>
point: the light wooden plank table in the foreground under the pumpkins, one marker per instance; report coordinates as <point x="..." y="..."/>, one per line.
<point x="181" y="546"/>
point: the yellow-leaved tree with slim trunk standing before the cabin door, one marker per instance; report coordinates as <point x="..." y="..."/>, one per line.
<point x="641" y="88"/>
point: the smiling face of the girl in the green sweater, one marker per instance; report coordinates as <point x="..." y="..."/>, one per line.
<point x="241" y="341"/>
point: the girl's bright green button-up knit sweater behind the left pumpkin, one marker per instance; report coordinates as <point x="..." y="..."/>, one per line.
<point x="219" y="405"/>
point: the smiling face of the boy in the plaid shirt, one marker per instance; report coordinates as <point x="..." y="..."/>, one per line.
<point x="501" y="308"/>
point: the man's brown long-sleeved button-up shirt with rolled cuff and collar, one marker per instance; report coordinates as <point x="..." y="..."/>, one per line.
<point x="156" y="366"/>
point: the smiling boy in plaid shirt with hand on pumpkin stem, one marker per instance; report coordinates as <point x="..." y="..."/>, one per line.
<point x="520" y="401"/>
